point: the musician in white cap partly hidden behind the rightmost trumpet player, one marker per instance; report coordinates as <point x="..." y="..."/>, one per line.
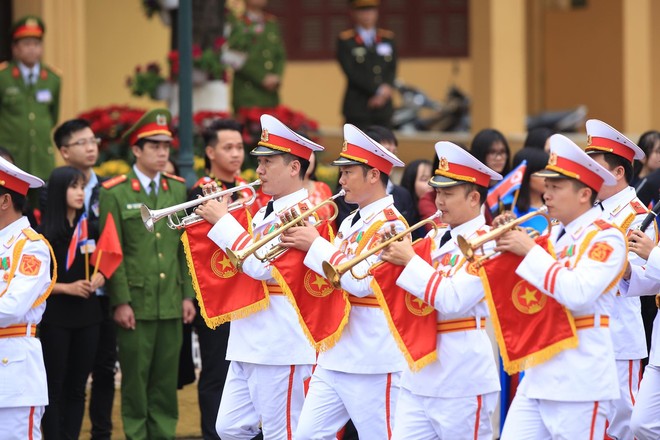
<point x="621" y="207"/>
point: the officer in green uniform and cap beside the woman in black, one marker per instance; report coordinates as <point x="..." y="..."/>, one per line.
<point x="151" y="291"/>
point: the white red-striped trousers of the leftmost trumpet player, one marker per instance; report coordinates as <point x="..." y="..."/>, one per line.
<point x="270" y="395"/>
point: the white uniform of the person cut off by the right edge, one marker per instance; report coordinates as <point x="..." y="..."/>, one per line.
<point x="645" y="420"/>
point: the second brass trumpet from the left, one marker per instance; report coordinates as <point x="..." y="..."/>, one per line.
<point x="292" y="219"/>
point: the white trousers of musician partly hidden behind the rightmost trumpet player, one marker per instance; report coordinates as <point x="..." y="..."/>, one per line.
<point x="621" y="409"/>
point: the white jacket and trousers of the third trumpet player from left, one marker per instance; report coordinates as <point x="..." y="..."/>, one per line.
<point x="455" y="396"/>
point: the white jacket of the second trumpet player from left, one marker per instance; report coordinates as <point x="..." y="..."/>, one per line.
<point x="366" y="344"/>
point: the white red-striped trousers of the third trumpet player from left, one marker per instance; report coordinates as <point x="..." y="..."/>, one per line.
<point x="423" y="417"/>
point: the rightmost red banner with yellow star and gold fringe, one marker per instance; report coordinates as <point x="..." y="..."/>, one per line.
<point x="530" y="326"/>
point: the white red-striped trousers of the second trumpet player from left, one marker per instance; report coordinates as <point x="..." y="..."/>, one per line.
<point x="369" y="400"/>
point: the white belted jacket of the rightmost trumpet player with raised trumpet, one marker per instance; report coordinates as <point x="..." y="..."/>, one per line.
<point x="582" y="278"/>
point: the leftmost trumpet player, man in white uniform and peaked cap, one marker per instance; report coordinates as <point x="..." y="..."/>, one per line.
<point x="270" y="356"/>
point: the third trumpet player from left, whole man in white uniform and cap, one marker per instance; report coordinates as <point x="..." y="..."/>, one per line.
<point x="455" y="396"/>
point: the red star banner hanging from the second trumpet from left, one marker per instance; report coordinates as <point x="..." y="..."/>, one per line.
<point x="322" y="310"/>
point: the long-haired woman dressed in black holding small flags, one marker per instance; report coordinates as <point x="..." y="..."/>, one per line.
<point x="69" y="330"/>
